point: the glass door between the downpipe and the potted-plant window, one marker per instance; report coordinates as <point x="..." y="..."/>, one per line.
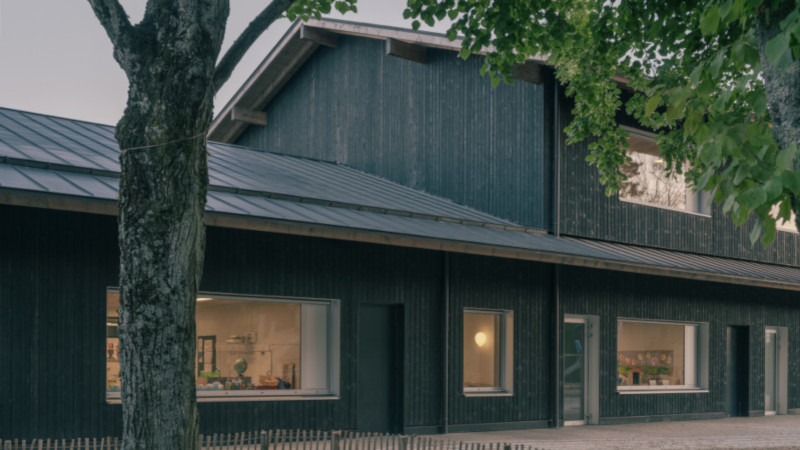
<point x="574" y="371"/>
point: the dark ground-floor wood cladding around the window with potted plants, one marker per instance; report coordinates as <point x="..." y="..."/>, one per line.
<point x="612" y="295"/>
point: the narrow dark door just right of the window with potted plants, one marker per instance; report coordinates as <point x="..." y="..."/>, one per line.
<point x="738" y="356"/>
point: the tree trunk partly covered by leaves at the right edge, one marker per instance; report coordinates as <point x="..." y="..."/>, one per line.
<point x="781" y="84"/>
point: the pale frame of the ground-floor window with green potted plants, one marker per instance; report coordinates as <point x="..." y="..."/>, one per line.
<point x="695" y="359"/>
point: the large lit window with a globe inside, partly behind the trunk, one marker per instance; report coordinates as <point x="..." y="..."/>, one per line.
<point x="253" y="346"/>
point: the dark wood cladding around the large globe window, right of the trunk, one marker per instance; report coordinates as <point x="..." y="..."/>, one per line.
<point x="266" y="264"/>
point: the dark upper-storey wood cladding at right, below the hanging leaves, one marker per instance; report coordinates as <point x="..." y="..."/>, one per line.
<point x="587" y="212"/>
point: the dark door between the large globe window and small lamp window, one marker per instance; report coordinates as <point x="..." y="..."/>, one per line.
<point x="380" y="368"/>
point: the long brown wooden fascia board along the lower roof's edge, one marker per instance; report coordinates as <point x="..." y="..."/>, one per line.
<point x="109" y="207"/>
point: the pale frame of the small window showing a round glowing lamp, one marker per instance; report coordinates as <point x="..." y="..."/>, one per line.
<point x="506" y="386"/>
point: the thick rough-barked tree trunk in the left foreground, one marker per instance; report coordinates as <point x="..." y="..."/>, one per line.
<point x="170" y="63"/>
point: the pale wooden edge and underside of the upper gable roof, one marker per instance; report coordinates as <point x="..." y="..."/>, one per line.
<point x="294" y="49"/>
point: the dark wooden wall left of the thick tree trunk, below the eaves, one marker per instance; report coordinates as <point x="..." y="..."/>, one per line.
<point x="54" y="267"/>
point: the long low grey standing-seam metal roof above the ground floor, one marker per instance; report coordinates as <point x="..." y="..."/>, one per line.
<point x="65" y="164"/>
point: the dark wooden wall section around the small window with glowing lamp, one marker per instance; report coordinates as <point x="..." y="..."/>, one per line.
<point x="525" y="289"/>
